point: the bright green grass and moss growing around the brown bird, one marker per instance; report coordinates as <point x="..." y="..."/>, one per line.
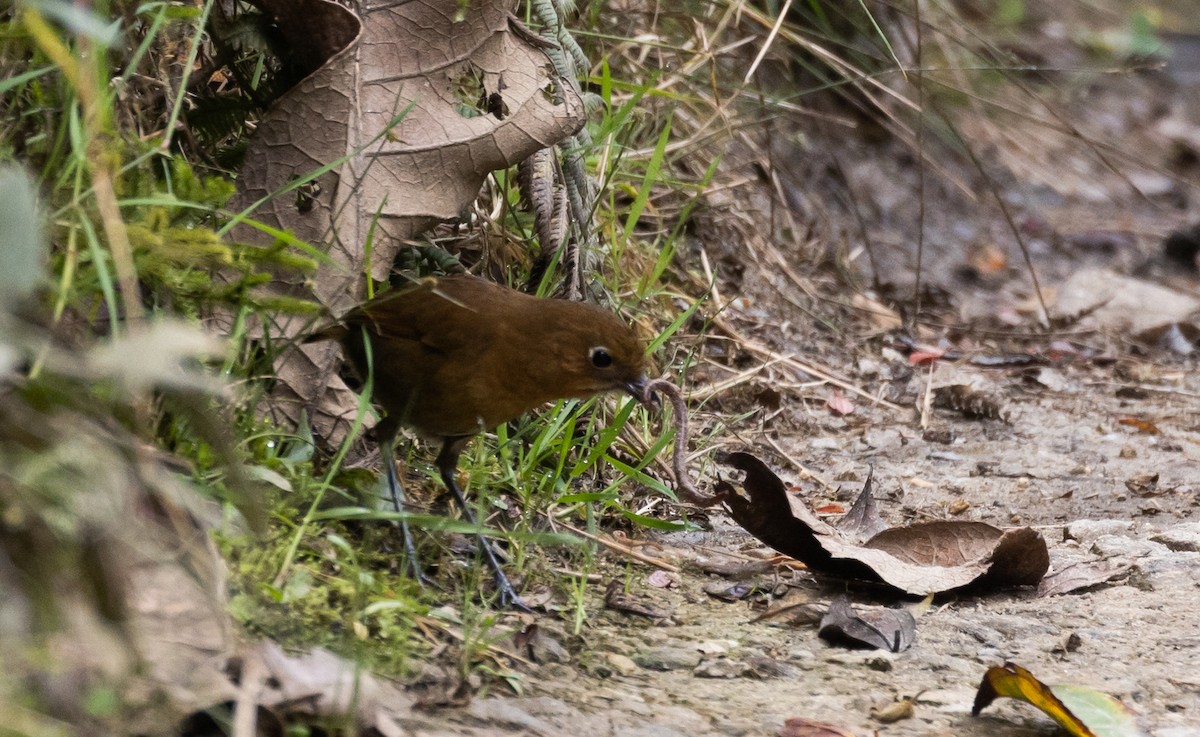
<point x="139" y="231"/>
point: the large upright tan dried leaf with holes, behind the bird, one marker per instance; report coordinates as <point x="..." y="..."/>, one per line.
<point x="407" y="109"/>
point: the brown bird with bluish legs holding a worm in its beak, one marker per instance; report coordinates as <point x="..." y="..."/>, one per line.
<point x="454" y="356"/>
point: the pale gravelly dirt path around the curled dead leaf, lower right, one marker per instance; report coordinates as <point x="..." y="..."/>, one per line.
<point x="1059" y="465"/>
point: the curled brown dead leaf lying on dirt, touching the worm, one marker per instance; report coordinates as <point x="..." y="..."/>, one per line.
<point x="921" y="559"/>
